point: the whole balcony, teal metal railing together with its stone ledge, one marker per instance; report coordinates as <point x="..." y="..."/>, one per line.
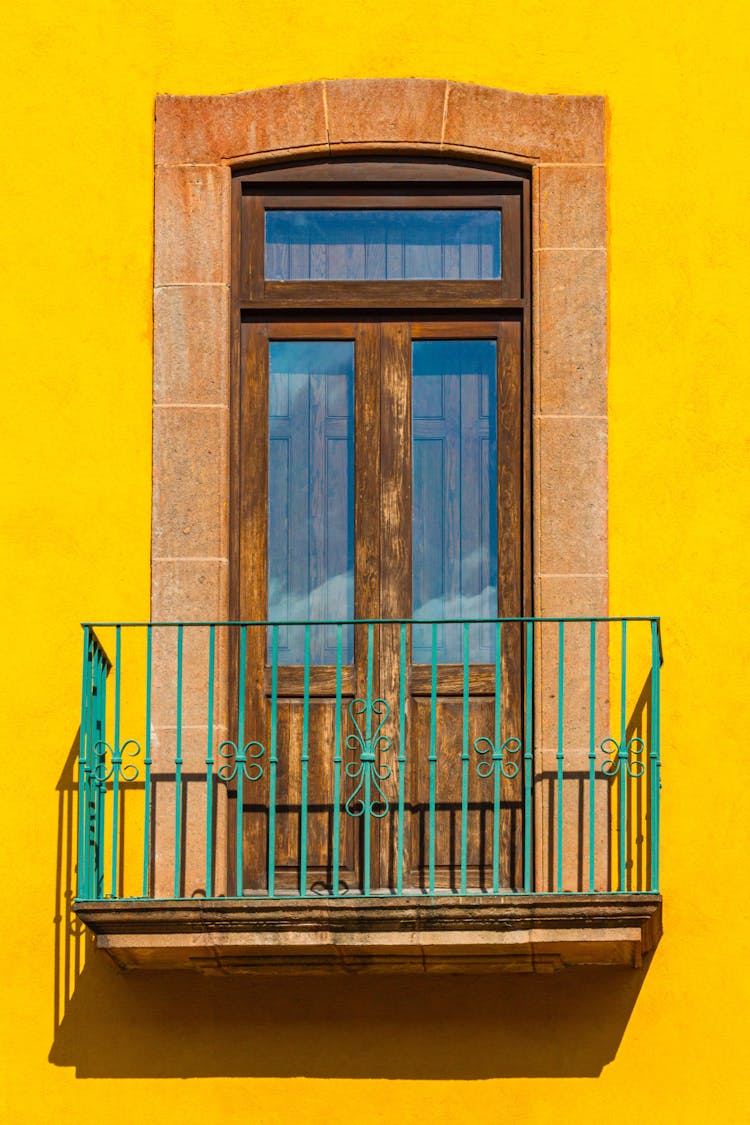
<point x="375" y="796"/>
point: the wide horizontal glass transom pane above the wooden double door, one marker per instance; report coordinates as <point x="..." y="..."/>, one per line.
<point x="383" y="246"/>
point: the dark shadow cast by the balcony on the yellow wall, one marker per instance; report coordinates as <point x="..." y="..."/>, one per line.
<point x="110" y="1024"/>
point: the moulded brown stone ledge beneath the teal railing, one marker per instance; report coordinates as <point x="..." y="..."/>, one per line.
<point x="519" y="933"/>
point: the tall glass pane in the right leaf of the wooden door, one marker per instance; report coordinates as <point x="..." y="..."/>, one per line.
<point x="455" y="494"/>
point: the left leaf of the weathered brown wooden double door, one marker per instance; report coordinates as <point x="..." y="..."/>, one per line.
<point x="312" y="393"/>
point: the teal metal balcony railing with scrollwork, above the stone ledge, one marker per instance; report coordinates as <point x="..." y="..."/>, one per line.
<point x="212" y="767"/>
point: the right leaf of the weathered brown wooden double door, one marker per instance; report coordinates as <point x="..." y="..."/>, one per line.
<point x="458" y="376"/>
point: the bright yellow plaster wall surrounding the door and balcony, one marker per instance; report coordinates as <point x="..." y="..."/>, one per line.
<point x="77" y="87"/>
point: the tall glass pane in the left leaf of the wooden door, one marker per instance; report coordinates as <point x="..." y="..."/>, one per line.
<point x="312" y="494"/>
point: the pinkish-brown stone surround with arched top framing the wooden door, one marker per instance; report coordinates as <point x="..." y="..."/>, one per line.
<point x="200" y="140"/>
